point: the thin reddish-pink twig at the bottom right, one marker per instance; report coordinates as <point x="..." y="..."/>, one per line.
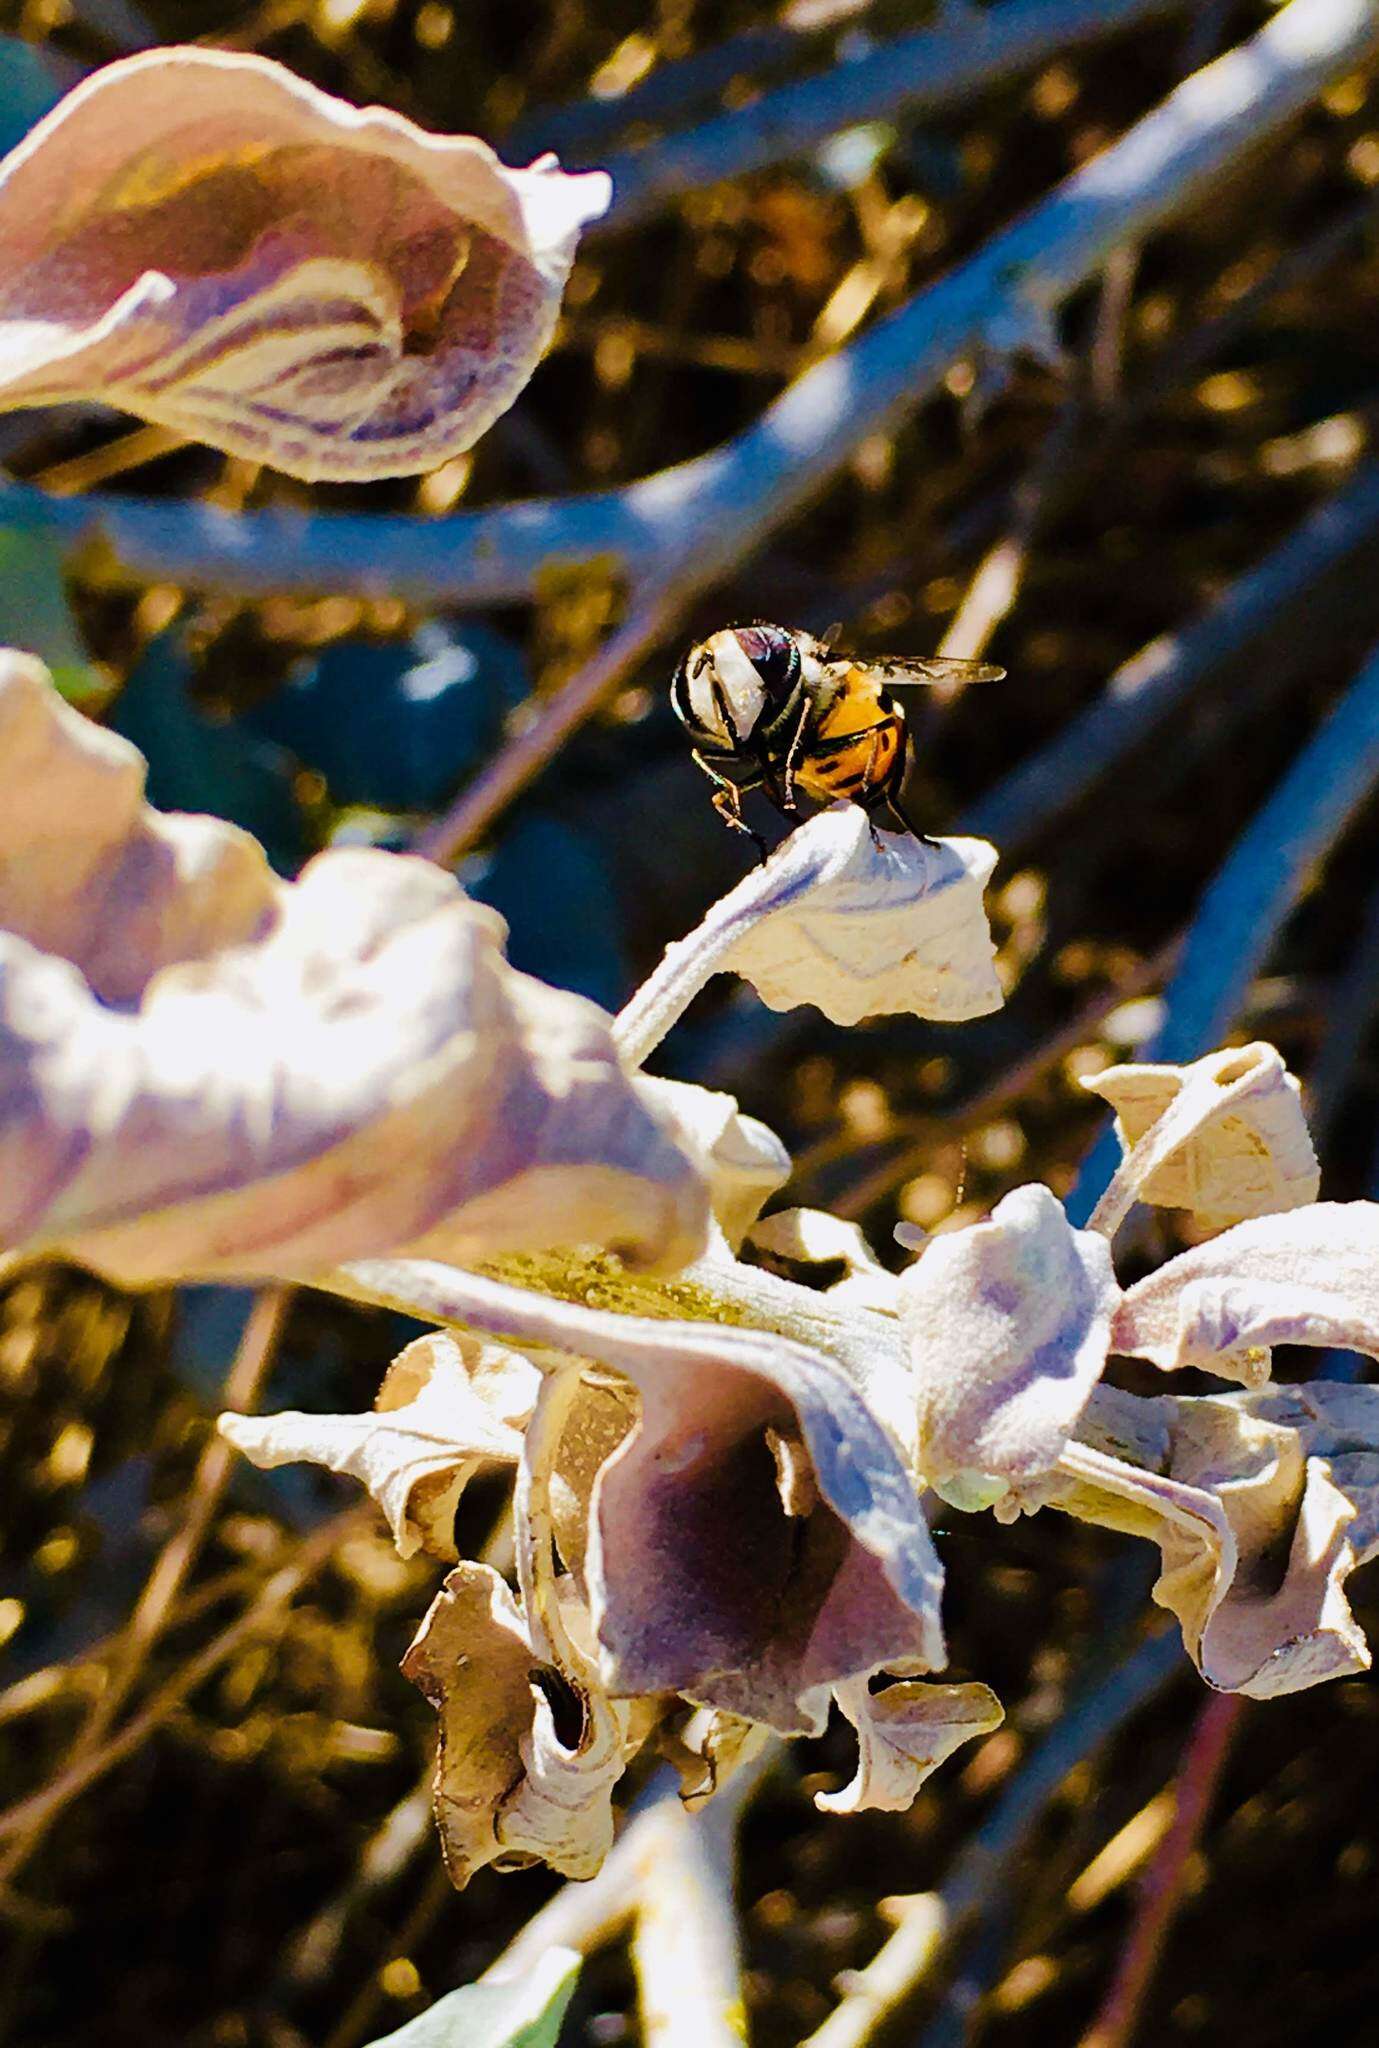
<point x="1161" y="1895"/>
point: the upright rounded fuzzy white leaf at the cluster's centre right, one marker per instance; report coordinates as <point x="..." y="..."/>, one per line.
<point x="1007" y="1326"/>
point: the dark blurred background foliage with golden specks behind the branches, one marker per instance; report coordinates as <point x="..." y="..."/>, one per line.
<point x="253" y="1869"/>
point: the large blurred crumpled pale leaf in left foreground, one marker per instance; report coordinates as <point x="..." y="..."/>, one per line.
<point x="206" y="1072"/>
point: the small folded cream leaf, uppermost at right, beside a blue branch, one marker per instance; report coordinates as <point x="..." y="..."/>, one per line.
<point x="1239" y="1146"/>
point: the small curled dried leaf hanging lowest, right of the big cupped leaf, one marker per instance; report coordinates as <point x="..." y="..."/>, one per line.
<point x="903" y="1736"/>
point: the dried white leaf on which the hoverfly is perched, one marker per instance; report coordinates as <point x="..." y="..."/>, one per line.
<point x="853" y="921"/>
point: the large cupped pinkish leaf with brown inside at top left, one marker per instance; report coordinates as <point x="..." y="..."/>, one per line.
<point x="210" y="243"/>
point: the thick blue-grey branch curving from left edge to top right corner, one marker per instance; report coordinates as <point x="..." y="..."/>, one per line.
<point x="702" y="517"/>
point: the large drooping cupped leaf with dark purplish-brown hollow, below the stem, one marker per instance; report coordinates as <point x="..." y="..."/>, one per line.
<point x="755" y="1537"/>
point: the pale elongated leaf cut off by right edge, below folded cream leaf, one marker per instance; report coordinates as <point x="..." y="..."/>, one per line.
<point x="1308" y="1277"/>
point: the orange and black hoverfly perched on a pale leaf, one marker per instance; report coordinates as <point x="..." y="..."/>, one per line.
<point x="776" y="710"/>
